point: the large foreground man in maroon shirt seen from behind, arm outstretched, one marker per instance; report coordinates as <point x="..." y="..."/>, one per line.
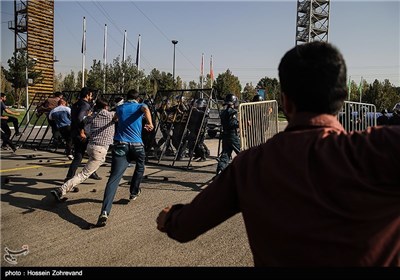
<point x="313" y="195"/>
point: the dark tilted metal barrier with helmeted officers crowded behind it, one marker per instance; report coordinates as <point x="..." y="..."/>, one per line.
<point x="180" y="127"/>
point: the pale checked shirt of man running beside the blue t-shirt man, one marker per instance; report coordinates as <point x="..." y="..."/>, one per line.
<point x="101" y="128"/>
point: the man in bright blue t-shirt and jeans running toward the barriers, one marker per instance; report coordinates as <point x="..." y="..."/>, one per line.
<point x="128" y="147"/>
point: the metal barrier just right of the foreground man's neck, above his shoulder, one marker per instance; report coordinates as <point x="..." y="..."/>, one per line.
<point x="356" y="116"/>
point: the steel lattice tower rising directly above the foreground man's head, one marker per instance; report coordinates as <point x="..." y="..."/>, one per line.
<point x="312" y="22"/>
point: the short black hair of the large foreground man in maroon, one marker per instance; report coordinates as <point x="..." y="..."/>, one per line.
<point x="313" y="76"/>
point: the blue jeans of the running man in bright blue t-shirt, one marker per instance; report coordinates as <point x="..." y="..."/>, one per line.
<point x="122" y="155"/>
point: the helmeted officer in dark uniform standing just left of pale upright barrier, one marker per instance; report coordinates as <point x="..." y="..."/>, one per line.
<point x="230" y="136"/>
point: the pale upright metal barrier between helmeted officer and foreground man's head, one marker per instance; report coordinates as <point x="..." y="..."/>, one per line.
<point x="258" y="121"/>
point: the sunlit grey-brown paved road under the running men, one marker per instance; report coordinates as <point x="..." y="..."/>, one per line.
<point x="56" y="233"/>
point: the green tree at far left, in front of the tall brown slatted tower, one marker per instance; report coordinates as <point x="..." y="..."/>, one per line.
<point x="18" y="65"/>
